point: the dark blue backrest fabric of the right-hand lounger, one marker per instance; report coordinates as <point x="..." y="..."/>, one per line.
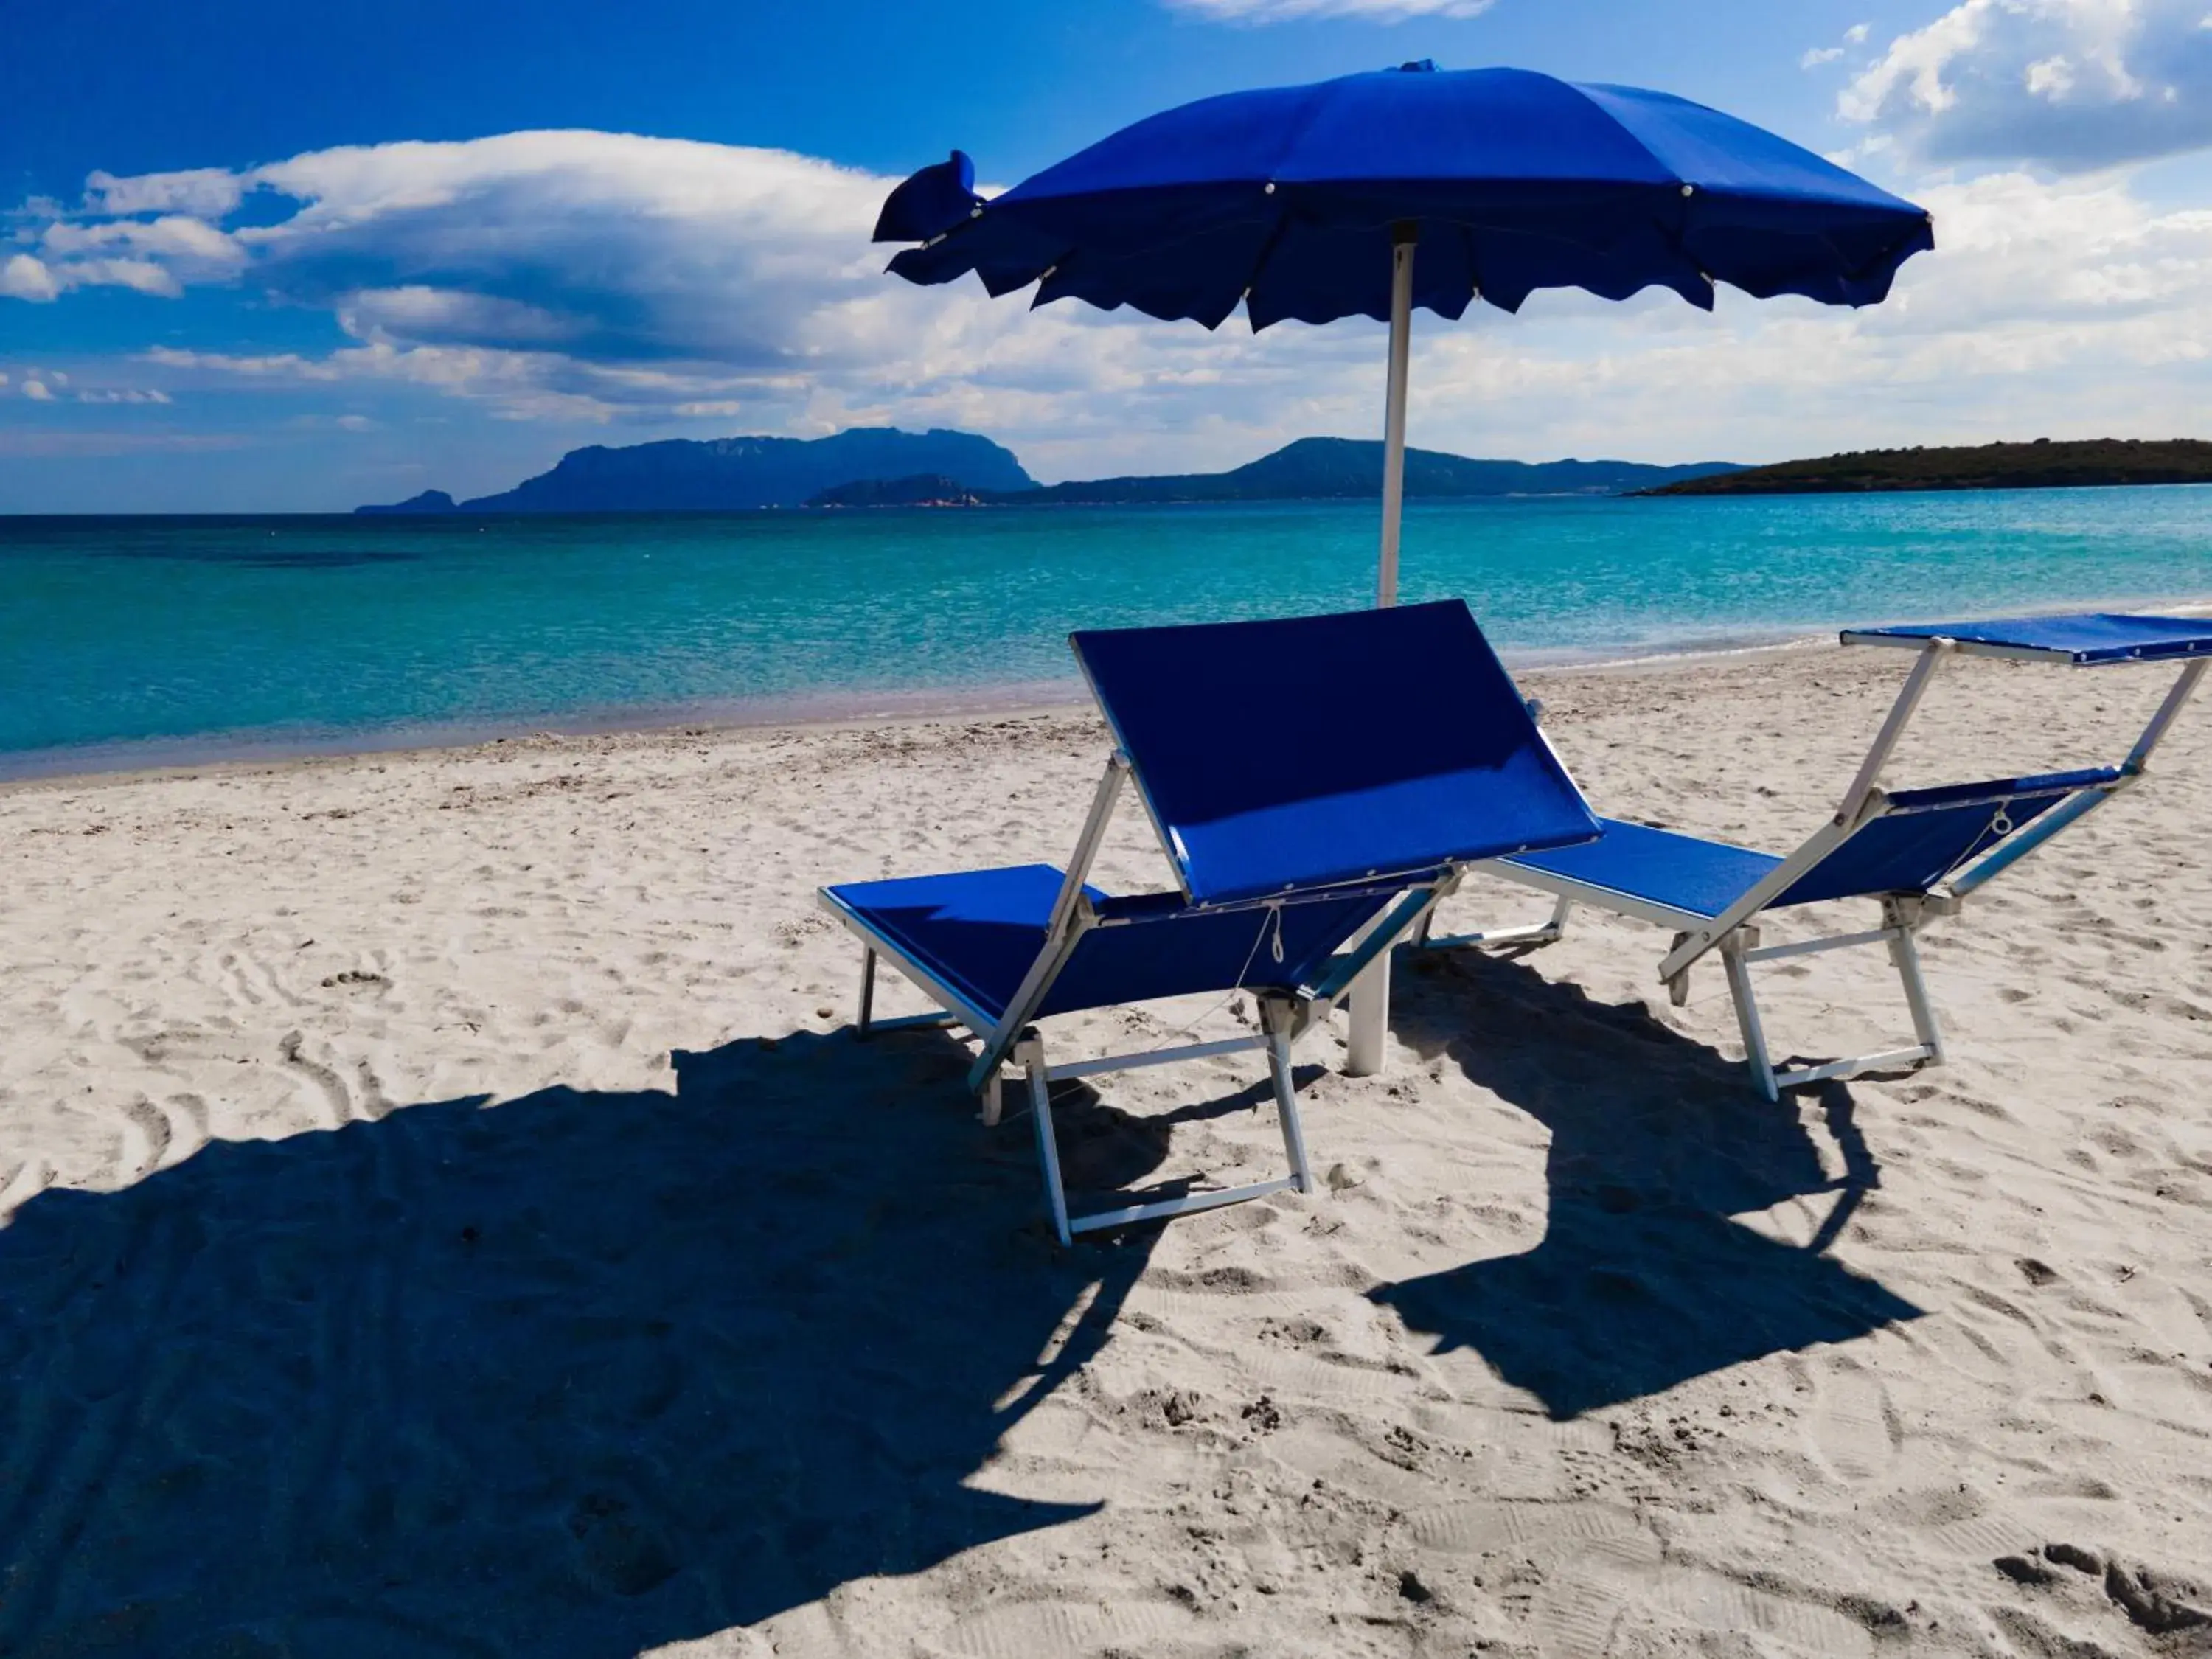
<point x="1926" y="835"/>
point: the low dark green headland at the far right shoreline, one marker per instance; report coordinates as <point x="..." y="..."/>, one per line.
<point x="2032" y="466"/>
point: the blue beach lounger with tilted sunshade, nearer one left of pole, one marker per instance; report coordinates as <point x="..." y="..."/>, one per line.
<point x="1317" y="784"/>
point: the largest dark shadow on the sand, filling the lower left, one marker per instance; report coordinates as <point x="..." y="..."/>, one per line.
<point x="576" y="1375"/>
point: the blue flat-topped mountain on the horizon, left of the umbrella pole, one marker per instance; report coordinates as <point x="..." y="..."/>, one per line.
<point x="733" y="474"/>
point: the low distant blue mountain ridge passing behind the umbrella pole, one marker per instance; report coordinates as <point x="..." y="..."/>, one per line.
<point x="1353" y="470"/>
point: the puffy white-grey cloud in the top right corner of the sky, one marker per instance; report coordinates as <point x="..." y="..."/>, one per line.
<point x="2069" y="85"/>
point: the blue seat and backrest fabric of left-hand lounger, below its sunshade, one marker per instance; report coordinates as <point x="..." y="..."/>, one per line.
<point x="979" y="932"/>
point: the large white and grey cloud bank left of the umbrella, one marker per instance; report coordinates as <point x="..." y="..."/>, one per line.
<point x="565" y="275"/>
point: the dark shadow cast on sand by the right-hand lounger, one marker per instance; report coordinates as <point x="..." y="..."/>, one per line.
<point x="1642" y="1280"/>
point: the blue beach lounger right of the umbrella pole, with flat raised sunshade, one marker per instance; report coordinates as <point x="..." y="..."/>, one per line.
<point x="1919" y="853"/>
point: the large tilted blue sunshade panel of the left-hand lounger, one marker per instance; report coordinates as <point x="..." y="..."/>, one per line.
<point x="1319" y="751"/>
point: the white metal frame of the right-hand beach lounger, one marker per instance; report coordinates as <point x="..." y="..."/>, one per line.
<point x="1735" y="935"/>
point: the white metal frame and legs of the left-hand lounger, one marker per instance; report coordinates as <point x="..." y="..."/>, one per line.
<point x="1014" y="1039"/>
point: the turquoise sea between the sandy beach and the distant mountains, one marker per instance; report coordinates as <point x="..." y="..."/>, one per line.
<point x="149" y="640"/>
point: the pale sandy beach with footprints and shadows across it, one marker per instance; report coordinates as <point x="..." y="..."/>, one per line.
<point x="379" y="1282"/>
